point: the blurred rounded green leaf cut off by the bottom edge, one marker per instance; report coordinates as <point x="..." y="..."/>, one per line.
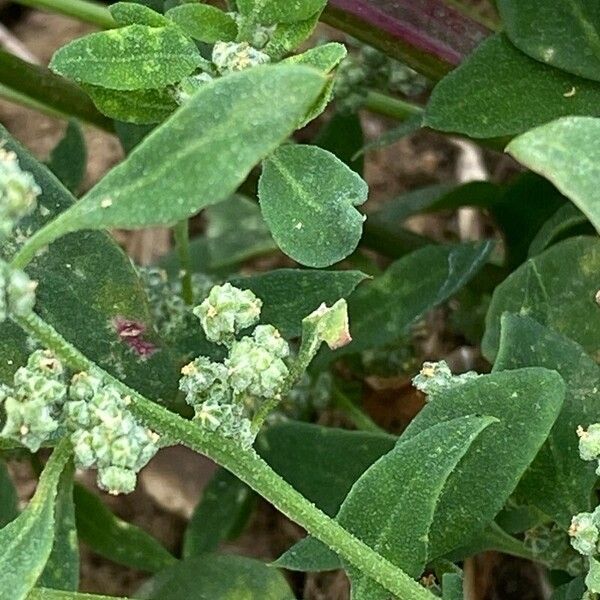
<point x="222" y="577"/>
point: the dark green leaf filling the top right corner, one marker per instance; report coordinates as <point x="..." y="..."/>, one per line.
<point x="561" y="34"/>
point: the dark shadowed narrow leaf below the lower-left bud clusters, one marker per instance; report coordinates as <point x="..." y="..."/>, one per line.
<point x="115" y="539"/>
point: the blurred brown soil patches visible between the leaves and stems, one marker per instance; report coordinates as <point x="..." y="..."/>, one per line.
<point x="172" y="484"/>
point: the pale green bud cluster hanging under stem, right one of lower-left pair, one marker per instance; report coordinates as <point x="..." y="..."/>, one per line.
<point x="105" y="435"/>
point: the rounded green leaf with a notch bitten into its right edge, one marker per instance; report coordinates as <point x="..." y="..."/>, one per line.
<point x="308" y="196"/>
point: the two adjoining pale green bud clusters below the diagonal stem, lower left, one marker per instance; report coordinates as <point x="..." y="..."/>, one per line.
<point x="42" y="405"/>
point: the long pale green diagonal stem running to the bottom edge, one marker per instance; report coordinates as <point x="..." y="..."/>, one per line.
<point x="246" y="465"/>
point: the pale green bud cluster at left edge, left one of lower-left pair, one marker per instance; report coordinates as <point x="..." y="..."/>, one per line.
<point x="33" y="404"/>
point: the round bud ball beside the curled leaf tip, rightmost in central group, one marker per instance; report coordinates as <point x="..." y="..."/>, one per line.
<point x="254" y="370"/>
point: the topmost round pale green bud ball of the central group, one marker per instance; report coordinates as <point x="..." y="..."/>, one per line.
<point x="226" y="311"/>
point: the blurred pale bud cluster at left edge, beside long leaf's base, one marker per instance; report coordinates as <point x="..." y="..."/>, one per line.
<point x="18" y="192"/>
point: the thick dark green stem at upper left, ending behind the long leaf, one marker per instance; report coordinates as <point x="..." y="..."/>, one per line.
<point x="33" y="85"/>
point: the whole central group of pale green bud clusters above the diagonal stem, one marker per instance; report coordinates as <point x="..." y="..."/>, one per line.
<point x="225" y="395"/>
